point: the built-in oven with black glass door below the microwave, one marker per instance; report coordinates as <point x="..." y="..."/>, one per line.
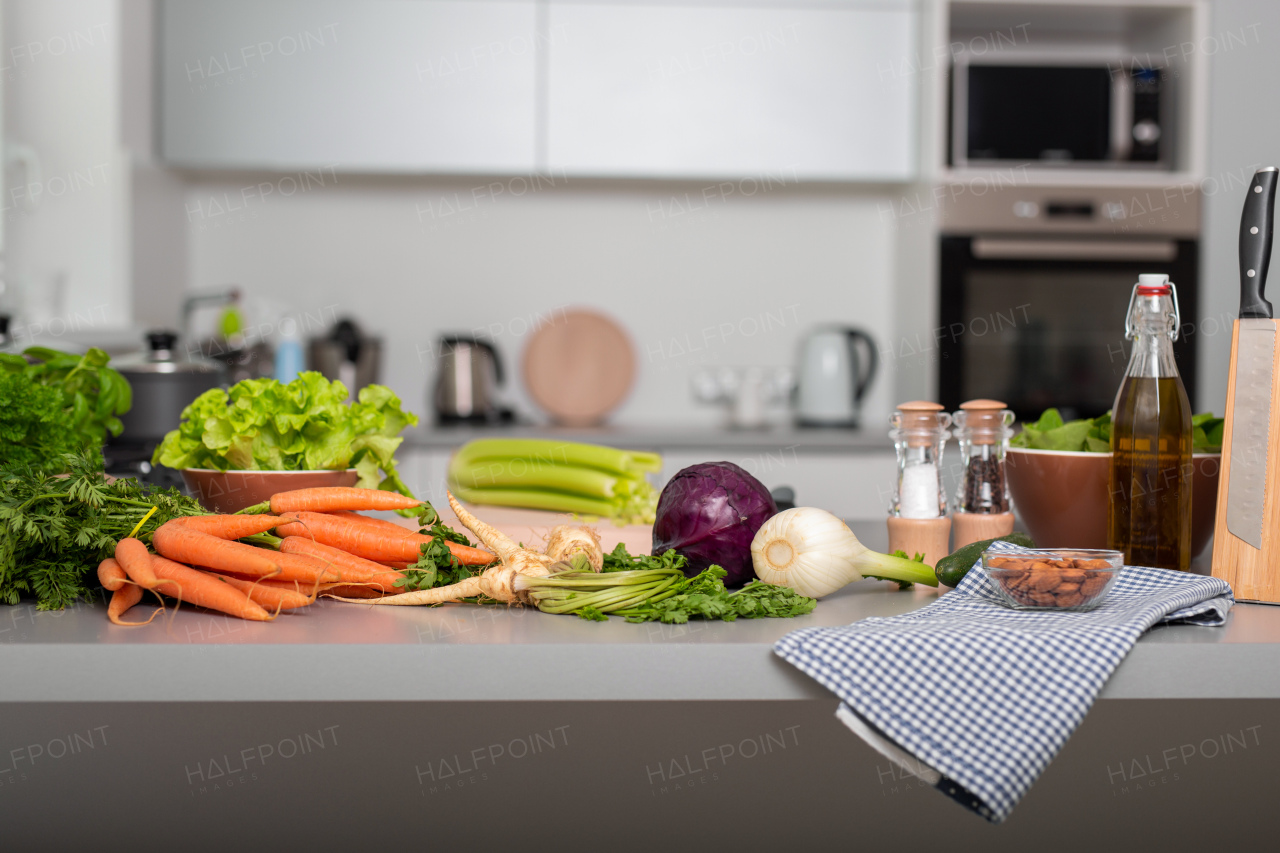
<point x="1035" y="286"/>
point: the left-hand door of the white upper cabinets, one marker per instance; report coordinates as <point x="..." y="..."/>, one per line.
<point x="400" y="86"/>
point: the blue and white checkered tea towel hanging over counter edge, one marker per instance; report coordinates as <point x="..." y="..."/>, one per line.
<point x="925" y="688"/>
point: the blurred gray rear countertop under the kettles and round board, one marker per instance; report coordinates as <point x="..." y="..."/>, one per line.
<point x="843" y="441"/>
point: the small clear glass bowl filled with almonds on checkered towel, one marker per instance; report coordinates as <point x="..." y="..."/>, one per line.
<point x="1069" y="580"/>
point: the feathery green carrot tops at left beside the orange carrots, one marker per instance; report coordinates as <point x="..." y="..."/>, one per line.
<point x="54" y="531"/>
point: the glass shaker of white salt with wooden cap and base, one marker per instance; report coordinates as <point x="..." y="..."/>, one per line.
<point x="918" y="519"/>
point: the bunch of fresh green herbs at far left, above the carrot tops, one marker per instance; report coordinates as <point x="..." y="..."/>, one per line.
<point x="88" y="395"/>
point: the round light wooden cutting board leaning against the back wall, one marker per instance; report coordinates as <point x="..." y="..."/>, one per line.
<point x="579" y="368"/>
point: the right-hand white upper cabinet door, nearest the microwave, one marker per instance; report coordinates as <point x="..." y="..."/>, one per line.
<point x="775" y="94"/>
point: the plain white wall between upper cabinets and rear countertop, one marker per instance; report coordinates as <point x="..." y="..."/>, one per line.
<point x="698" y="273"/>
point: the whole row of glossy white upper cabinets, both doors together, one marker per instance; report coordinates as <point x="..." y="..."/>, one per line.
<point x="783" y="90"/>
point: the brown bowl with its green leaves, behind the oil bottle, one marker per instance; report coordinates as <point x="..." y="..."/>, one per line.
<point x="1060" y="478"/>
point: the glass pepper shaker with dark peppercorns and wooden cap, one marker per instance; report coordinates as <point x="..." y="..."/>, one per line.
<point x="982" y="507"/>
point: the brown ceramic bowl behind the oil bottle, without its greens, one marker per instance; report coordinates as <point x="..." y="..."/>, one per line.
<point x="1062" y="496"/>
